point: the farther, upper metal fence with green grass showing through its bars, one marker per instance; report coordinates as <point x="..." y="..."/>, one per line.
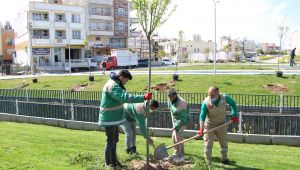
<point x="245" y="102"/>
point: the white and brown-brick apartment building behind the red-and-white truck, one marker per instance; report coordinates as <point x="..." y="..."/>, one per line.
<point x="107" y="24"/>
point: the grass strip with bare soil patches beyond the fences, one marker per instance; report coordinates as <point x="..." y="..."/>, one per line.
<point x="232" y="84"/>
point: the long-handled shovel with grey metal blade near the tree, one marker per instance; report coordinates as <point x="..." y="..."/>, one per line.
<point x="161" y="151"/>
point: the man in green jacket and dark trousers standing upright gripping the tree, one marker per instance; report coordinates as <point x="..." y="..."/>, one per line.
<point x="111" y="115"/>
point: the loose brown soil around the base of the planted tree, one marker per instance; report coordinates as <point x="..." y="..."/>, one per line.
<point x="163" y="165"/>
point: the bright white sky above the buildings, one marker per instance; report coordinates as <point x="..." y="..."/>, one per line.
<point x="251" y="19"/>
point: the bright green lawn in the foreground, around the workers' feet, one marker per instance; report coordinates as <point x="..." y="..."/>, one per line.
<point x="26" y="146"/>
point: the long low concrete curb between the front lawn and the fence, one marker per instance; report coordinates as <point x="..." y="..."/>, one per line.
<point x="159" y="132"/>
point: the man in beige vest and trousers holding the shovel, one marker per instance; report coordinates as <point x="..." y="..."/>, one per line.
<point x="213" y="113"/>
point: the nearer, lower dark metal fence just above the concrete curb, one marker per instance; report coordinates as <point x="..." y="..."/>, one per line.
<point x="273" y="124"/>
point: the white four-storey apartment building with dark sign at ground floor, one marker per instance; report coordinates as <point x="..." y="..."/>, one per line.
<point x="53" y="30"/>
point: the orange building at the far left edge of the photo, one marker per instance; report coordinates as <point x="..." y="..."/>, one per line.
<point x="8" y="45"/>
